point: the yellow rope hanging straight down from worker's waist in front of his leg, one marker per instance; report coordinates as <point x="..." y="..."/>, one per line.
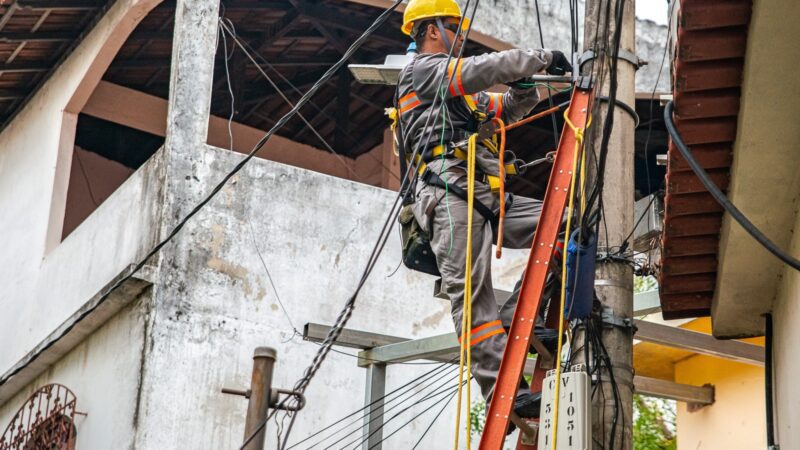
<point x="466" y="312"/>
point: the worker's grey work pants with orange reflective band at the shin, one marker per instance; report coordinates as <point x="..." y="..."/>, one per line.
<point x="444" y="218"/>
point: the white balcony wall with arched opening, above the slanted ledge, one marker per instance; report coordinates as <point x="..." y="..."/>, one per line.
<point x="45" y="281"/>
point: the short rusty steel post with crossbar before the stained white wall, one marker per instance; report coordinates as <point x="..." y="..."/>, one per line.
<point x="260" y="387"/>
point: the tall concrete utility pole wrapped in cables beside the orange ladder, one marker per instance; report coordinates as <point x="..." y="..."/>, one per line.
<point x="614" y="282"/>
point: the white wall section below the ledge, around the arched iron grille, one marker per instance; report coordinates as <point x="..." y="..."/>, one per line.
<point x="104" y="373"/>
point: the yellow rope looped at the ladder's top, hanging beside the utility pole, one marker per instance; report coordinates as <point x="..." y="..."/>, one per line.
<point x="578" y="148"/>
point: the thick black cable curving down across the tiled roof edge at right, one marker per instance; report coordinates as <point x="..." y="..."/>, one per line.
<point x="715" y="192"/>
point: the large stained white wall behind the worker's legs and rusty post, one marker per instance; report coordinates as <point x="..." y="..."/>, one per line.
<point x="215" y="304"/>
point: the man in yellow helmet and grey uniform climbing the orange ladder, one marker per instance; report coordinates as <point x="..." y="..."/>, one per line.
<point x="439" y="206"/>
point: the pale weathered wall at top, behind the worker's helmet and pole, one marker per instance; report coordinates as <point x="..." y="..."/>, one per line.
<point x="514" y="21"/>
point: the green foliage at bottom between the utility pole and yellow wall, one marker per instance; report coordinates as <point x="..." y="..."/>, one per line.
<point x="653" y="424"/>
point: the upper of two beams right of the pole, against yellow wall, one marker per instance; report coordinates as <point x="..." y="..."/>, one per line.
<point x="701" y="343"/>
